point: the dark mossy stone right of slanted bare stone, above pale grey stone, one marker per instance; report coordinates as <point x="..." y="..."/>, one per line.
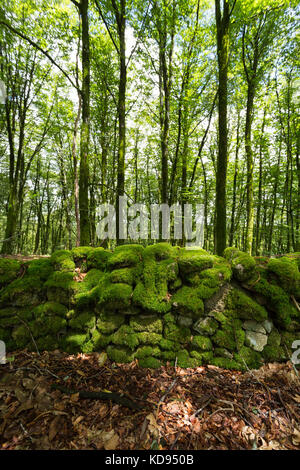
<point x="245" y="307"/>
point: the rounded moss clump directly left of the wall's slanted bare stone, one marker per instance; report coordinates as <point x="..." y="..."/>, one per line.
<point x="188" y="302"/>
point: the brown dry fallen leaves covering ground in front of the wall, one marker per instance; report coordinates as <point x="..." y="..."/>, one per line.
<point x="178" y="409"/>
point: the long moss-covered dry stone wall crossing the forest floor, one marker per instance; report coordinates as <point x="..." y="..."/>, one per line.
<point x="154" y="304"/>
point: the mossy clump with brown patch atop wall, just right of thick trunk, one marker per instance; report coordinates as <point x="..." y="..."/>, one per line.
<point x="243" y="265"/>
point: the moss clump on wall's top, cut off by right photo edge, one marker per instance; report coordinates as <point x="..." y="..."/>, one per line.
<point x="287" y="272"/>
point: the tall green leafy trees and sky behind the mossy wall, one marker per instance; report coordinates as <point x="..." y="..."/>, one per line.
<point x="163" y="101"/>
